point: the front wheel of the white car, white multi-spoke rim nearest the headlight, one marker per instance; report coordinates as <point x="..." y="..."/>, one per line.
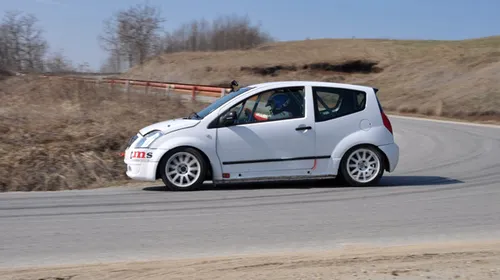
<point x="183" y="169"/>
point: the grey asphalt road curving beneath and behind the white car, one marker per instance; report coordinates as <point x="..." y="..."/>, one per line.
<point x="447" y="186"/>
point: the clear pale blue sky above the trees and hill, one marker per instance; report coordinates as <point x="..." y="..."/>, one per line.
<point x="72" y="26"/>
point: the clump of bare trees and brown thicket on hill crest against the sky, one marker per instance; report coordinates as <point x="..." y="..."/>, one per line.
<point x="132" y="36"/>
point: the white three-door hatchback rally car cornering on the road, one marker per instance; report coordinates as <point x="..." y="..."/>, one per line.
<point x="289" y="130"/>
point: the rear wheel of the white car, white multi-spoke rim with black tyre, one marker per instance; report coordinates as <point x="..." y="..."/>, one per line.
<point x="362" y="166"/>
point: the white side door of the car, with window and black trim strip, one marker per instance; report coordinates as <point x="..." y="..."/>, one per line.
<point x="259" y="147"/>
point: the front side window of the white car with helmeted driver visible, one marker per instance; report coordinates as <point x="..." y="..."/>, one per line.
<point x="275" y="104"/>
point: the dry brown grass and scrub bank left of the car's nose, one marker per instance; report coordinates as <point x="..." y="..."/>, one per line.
<point x="59" y="134"/>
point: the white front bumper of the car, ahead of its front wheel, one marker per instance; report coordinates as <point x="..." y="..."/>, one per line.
<point x="141" y="169"/>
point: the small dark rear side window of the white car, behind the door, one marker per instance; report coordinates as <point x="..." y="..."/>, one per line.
<point x="331" y="103"/>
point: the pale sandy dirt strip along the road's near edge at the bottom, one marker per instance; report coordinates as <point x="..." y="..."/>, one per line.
<point x="479" y="260"/>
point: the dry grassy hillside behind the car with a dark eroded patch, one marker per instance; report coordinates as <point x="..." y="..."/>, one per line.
<point x="458" y="79"/>
